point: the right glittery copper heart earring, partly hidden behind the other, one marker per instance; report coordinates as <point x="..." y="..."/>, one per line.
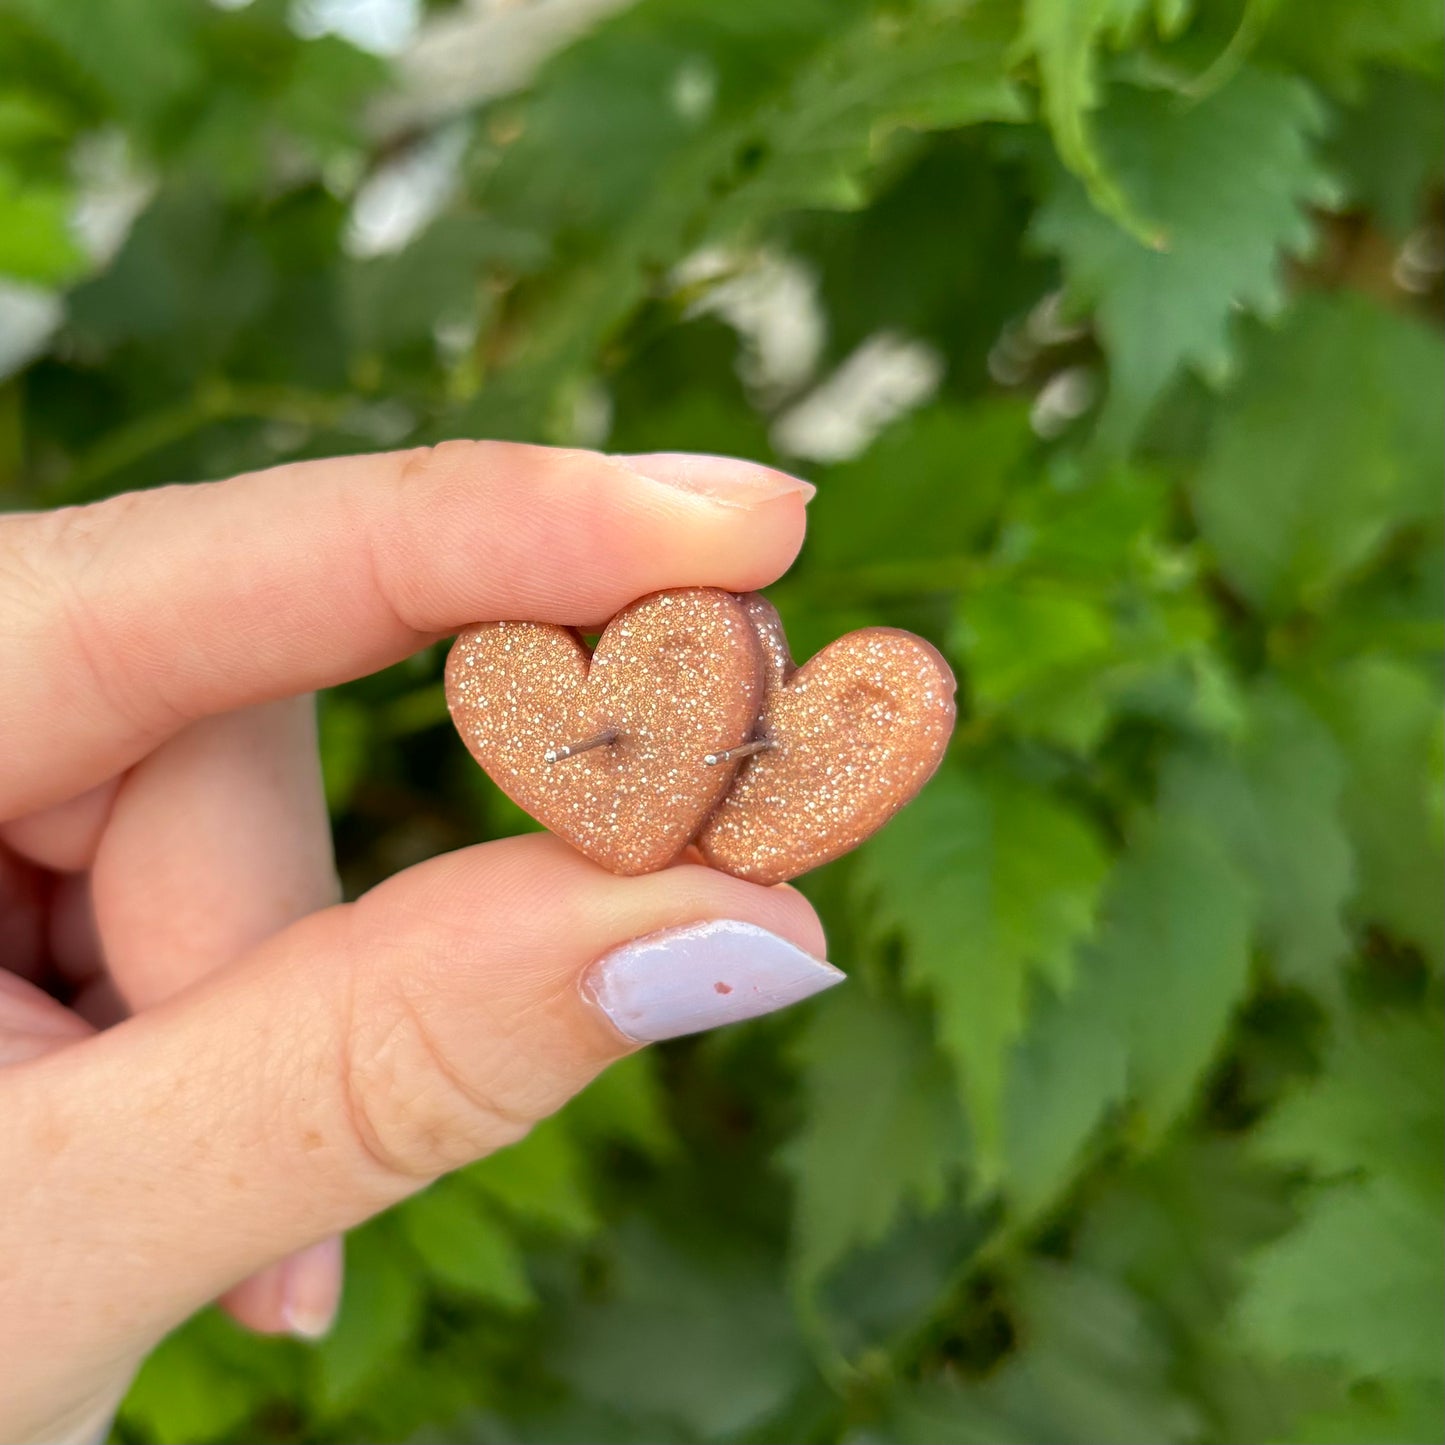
<point x="856" y="733"/>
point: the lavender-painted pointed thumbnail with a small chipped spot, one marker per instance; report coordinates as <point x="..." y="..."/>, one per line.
<point x="702" y="978"/>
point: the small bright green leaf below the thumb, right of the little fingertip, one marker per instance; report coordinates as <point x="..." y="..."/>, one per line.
<point x="466" y="1246"/>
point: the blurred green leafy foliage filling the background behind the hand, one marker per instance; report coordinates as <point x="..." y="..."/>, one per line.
<point x="1110" y="332"/>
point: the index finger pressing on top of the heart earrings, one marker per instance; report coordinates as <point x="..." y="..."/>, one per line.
<point x="125" y="621"/>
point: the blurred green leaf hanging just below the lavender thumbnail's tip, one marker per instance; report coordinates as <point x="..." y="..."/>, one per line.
<point x="882" y="1128"/>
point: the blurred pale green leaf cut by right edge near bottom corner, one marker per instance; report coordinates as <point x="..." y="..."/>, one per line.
<point x="1359" y="1281"/>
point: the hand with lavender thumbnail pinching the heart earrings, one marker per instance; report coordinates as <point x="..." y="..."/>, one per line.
<point x="246" y="1069"/>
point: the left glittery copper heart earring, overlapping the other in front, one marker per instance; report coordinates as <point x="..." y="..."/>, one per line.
<point x="678" y="676"/>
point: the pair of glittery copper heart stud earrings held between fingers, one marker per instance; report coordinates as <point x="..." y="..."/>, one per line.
<point x="690" y="725"/>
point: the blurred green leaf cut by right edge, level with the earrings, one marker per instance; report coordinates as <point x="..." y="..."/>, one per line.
<point x="1386" y="717"/>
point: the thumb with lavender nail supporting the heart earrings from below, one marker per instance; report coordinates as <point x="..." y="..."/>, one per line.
<point x="343" y="1066"/>
